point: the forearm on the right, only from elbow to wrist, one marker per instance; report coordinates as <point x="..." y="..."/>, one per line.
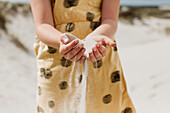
<point x="108" y="28"/>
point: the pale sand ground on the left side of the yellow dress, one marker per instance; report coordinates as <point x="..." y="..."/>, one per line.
<point x="17" y="68"/>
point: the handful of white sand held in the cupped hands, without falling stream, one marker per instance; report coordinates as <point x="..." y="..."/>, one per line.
<point x="88" y="44"/>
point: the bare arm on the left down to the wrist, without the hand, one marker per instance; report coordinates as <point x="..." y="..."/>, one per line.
<point x="44" y="24"/>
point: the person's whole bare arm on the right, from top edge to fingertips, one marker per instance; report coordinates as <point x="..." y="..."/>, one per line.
<point x="103" y="34"/>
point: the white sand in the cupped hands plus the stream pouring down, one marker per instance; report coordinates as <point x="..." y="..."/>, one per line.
<point x="80" y="92"/>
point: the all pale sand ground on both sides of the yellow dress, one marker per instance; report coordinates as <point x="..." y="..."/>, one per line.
<point x="143" y="50"/>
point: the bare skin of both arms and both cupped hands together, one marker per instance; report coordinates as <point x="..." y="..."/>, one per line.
<point x="44" y="26"/>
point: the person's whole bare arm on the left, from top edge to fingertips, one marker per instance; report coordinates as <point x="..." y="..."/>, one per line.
<point x="44" y="26"/>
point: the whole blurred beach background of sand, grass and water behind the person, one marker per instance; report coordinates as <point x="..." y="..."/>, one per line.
<point x="143" y="40"/>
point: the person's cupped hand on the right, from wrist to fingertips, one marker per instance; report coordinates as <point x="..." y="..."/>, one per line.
<point x="100" y="49"/>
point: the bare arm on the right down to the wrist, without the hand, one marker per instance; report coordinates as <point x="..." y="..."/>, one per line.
<point x="110" y="13"/>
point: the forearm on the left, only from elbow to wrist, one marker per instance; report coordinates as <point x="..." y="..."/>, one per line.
<point x="49" y="35"/>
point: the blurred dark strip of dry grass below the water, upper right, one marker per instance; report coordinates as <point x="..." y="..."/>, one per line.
<point x="127" y="14"/>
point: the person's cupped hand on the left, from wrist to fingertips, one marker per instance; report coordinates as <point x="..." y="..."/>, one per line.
<point x="70" y="48"/>
